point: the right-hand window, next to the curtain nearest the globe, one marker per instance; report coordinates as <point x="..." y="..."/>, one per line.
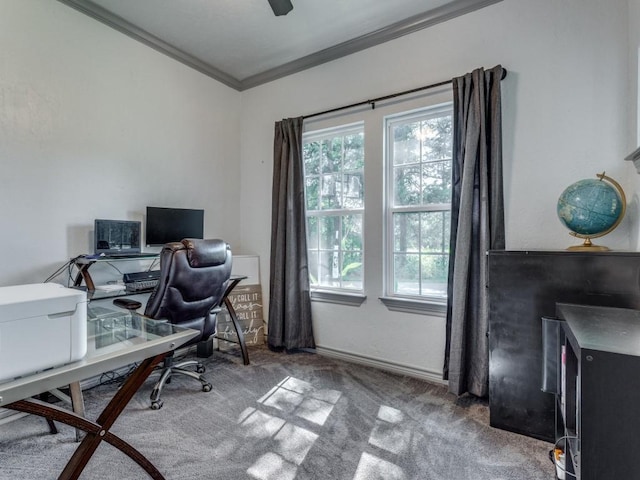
<point x="419" y="150"/>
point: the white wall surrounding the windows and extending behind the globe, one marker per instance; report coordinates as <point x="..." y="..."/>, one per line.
<point x="565" y="117"/>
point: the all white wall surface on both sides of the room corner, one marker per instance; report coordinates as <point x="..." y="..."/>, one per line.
<point x="94" y="124"/>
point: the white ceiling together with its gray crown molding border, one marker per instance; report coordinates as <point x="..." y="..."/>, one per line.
<point x="242" y="44"/>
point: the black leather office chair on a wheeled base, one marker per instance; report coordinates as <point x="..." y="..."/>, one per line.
<point x="194" y="275"/>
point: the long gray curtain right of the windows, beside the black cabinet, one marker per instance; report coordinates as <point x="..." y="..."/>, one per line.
<point x="477" y="225"/>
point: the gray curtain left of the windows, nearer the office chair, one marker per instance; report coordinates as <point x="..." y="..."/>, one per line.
<point x="289" y="298"/>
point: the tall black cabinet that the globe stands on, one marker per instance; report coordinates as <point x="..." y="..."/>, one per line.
<point x="524" y="286"/>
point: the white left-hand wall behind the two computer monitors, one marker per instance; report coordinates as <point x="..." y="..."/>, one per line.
<point x="96" y="125"/>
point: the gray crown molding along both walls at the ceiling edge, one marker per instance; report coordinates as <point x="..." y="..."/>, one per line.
<point x="399" y="29"/>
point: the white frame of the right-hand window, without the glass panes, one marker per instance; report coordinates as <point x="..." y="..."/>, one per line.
<point x="397" y="301"/>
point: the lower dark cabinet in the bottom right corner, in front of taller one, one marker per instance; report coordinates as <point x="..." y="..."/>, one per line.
<point x="599" y="397"/>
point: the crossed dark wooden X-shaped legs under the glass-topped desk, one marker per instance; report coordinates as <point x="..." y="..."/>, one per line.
<point x="97" y="431"/>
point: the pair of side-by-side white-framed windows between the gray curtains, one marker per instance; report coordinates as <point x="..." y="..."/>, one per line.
<point x="403" y="221"/>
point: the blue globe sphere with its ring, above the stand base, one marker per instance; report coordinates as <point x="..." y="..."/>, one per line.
<point x="590" y="207"/>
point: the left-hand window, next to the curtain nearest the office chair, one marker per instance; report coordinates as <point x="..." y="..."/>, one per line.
<point x="334" y="194"/>
